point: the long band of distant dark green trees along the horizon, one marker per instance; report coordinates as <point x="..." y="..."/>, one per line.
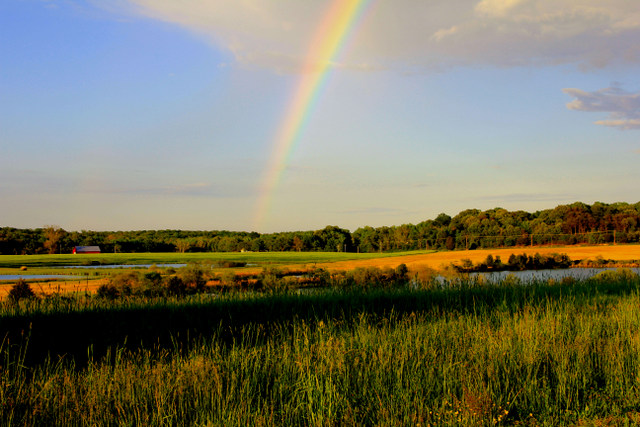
<point x="577" y="223"/>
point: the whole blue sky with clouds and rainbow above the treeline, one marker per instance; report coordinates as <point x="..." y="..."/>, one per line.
<point x="159" y="114"/>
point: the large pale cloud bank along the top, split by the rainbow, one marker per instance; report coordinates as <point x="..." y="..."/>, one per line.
<point x="415" y="34"/>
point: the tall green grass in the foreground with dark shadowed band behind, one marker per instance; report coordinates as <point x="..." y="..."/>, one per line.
<point x="458" y="353"/>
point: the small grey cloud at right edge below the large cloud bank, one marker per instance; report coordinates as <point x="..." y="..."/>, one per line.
<point x="623" y="107"/>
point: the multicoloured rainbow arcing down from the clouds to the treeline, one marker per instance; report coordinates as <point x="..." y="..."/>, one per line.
<point x="339" y="22"/>
